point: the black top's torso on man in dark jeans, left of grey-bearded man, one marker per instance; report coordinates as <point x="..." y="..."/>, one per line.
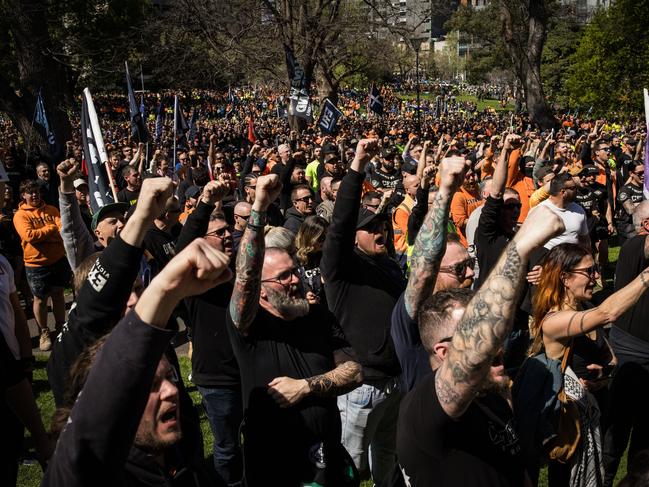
<point x="213" y="361"/>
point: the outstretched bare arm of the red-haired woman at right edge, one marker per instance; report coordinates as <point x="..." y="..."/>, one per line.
<point x="573" y="323"/>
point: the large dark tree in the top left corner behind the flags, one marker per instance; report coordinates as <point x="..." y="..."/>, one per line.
<point x="54" y="46"/>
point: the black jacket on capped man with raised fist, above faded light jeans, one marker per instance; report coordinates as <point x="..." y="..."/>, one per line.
<point x="361" y="290"/>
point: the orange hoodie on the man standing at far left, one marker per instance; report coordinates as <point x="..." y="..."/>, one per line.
<point x="38" y="228"/>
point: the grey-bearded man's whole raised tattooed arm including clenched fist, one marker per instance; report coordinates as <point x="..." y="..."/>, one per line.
<point x="250" y="258"/>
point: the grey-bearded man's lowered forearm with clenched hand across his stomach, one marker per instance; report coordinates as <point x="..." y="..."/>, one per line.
<point x="347" y="376"/>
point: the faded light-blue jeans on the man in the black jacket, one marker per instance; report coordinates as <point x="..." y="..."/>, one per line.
<point x="369" y="426"/>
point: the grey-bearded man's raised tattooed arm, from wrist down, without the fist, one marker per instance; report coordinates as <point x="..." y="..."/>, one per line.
<point x="245" y="296"/>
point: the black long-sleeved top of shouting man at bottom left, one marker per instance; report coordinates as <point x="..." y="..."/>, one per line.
<point x="96" y="446"/>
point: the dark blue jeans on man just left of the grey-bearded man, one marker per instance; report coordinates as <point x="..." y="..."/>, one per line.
<point x="224" y="412"/>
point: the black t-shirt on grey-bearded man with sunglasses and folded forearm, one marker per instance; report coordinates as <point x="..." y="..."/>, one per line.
<point x="281" y="438"/>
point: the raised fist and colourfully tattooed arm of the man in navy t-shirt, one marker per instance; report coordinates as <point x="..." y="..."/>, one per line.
<point x="430" y="244"/>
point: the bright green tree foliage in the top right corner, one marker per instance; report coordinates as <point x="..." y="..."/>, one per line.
<point x="611" y="65"/>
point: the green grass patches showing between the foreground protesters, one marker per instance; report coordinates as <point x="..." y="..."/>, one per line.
<point x="30" y="475"/>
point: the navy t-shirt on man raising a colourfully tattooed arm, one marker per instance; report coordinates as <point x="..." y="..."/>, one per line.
<point x="413" y="357"/>
